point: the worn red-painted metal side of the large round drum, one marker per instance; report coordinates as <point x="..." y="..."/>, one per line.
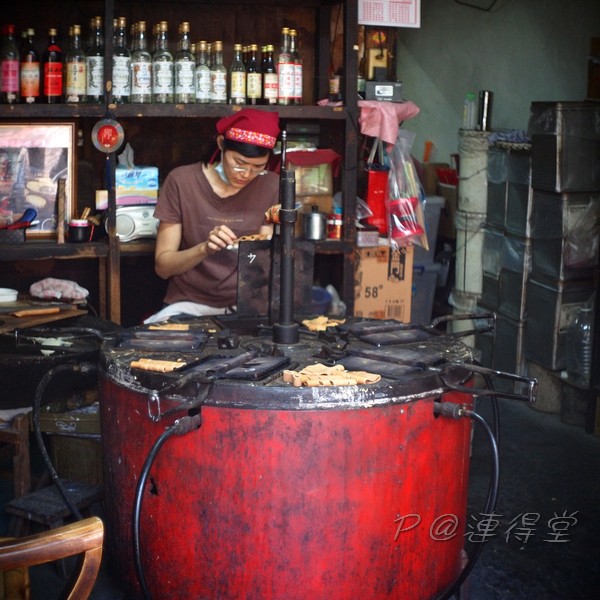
<point x="290" y="493"/>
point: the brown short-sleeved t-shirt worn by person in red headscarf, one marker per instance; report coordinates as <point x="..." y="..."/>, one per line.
<point x="186" y="197"/>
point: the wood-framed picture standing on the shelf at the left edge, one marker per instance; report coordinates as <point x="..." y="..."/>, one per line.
<point x="34" y="158"/>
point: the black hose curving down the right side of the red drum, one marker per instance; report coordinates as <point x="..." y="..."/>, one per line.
<point x="492" y="496"/>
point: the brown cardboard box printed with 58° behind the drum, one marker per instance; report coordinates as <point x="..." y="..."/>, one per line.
<point x="383" y="283"/>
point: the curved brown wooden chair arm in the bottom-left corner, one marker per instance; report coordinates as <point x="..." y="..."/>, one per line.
<point x="83" y="538"/>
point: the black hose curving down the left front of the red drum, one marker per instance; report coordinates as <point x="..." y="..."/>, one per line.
<point x="180" y="427"/>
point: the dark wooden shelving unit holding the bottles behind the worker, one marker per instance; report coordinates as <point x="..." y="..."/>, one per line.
<point x="169" y="135"/>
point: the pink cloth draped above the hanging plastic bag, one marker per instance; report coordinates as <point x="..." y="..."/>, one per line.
<point x="382" y="119"/>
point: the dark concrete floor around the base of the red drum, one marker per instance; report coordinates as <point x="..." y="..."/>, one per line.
<point x="548" y="469"/>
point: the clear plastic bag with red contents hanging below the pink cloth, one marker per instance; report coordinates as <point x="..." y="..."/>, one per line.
<point x="404" y="206"/>
